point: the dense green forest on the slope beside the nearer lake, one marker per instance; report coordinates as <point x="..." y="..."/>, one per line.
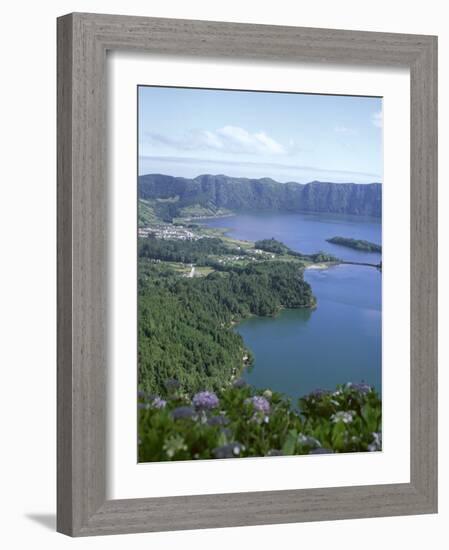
<point x="185" y="323"/>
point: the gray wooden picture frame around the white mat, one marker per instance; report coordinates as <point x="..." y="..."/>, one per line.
<point x="83" y="40"/>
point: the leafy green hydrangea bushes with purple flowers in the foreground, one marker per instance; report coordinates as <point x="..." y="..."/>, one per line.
<point x="239" y="421"/>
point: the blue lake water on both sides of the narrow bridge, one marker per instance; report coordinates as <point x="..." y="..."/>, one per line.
<point x="339" y="341"/>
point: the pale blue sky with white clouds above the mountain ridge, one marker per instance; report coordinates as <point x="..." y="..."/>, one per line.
<point x="285" y="136"/>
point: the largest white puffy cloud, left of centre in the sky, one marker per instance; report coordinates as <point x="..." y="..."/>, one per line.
<point x="229" y="139"/>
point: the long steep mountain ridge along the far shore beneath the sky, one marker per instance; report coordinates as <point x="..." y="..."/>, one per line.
<point x="207" y="194"/>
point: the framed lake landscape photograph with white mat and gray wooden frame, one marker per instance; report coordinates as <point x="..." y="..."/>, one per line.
<point x="247" y="282"/>
